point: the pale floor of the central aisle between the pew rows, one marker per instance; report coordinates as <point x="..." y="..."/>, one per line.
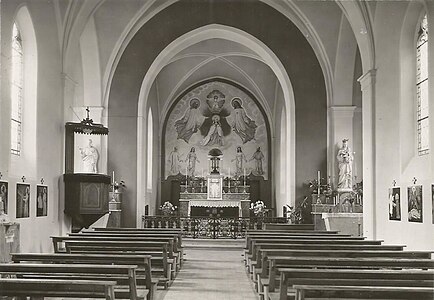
<point x="213" y="269"/>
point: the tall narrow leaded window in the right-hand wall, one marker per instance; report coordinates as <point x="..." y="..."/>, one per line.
<point x="422" y="87"/>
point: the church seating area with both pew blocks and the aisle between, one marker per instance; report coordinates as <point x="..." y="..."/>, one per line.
<point x="283" y="261"/>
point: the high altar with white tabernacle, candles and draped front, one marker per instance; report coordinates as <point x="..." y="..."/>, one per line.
<point x="214" y="192"/>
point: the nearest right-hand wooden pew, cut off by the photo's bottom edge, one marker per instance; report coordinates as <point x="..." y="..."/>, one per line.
<point x="366" y="292"/>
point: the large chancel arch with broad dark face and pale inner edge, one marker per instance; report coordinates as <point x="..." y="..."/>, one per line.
<point x="128" y="82"/>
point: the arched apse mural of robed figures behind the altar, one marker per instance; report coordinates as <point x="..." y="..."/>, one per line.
<point x="216" y="115"/>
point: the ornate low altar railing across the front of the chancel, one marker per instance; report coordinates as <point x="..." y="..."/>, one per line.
<point x="209" y="227"/>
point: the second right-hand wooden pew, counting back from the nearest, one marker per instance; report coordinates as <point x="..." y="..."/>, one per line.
<point x="290" y="277"/>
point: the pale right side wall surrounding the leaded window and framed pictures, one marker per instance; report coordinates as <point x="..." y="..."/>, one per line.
<point x="395" y="109"/>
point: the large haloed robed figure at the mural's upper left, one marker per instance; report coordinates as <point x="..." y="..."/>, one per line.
<point x="190" y="122"/>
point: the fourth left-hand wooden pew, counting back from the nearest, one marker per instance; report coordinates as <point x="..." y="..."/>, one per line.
<point x="157" y="249"/>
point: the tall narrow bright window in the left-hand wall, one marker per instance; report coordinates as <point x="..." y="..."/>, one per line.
<point x="17" y="83"/>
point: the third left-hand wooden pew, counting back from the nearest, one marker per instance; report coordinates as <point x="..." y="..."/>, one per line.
<point x="144" y="277"/>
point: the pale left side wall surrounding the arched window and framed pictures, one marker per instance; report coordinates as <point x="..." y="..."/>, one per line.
<point x="48" y="123"/>
